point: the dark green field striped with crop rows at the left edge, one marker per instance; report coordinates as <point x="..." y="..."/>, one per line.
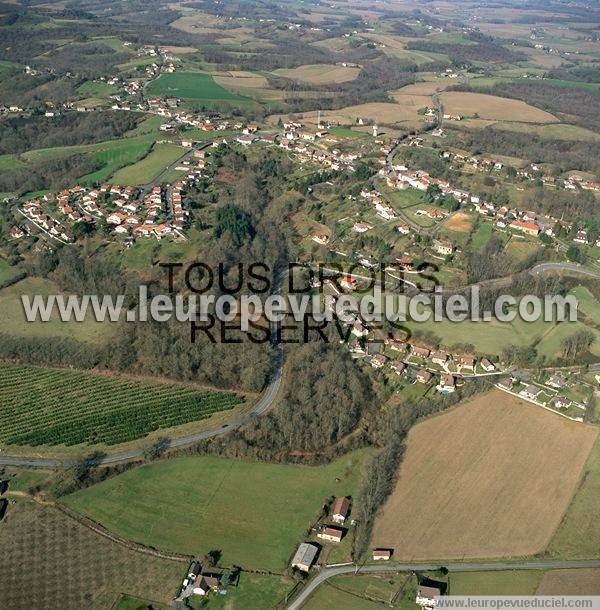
<point x="73" y="407"/>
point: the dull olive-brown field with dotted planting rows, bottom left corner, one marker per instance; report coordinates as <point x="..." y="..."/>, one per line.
<point x="60" y="563"/>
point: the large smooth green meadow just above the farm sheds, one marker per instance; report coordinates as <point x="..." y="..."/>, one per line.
<point x="255" y="513"/>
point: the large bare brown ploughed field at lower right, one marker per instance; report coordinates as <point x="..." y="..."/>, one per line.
<point x="469" y="472"/>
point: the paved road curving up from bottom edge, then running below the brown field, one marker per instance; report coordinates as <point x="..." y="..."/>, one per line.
<point x="327" y="573"/>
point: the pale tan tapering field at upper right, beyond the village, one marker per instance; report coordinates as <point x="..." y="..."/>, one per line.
<point x="493" y="107"/>
